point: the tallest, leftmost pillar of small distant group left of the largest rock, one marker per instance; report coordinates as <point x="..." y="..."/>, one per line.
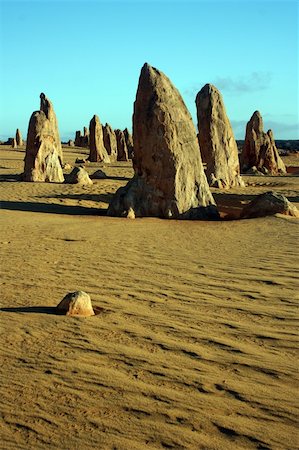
<point x="98" y="152"/>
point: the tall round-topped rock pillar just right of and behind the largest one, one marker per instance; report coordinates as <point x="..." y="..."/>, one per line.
<point x="216" y="140"/>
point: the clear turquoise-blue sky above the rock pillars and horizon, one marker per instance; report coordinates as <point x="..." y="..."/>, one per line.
<point x="86" y="56"/>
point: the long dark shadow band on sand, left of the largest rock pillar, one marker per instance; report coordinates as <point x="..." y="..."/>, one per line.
<point x="52" y="208"/>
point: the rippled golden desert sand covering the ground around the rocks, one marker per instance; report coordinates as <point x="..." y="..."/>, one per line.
<point x="194" y="345"/>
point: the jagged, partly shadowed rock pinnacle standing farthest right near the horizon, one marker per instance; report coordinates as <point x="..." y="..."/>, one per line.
<point x="259" y="148"/>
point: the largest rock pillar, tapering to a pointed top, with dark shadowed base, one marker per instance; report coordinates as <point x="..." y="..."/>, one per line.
<point x="169" y="179"/>
